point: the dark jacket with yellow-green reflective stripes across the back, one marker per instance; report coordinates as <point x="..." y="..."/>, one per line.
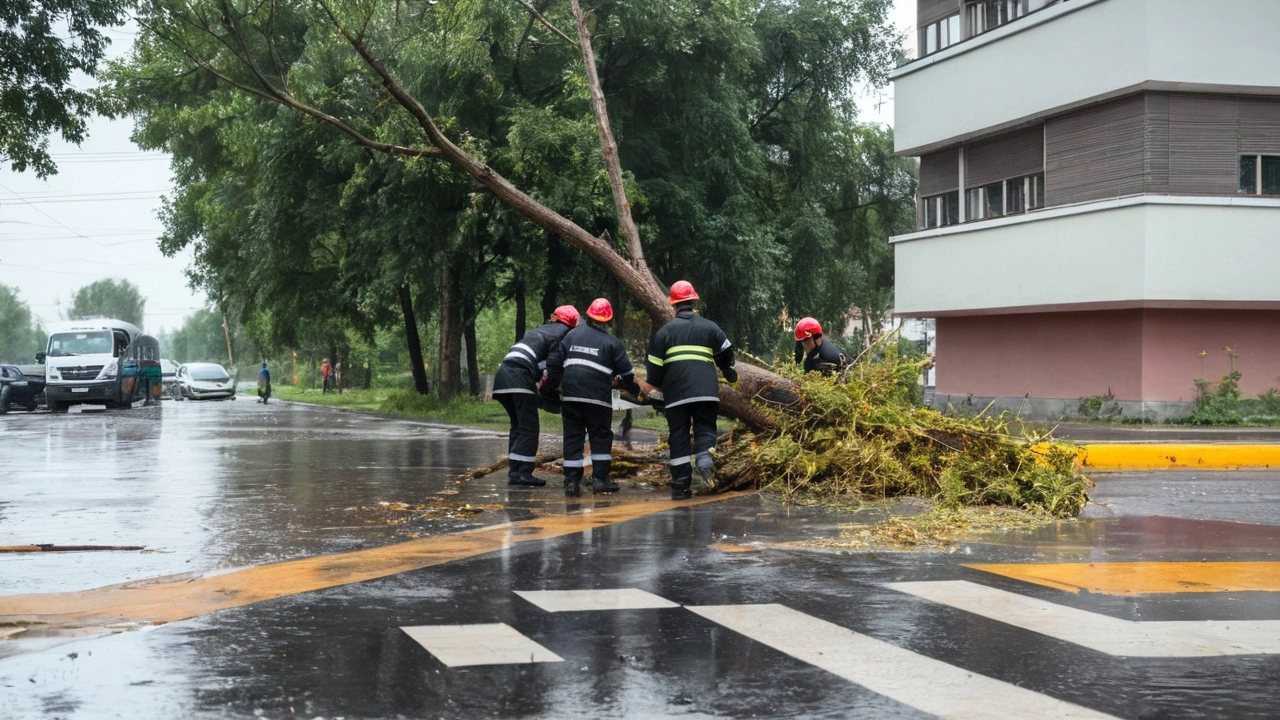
<point x="683" y="359"/>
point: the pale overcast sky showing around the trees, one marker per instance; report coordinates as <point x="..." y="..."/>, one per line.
<point x="97" y="218"/>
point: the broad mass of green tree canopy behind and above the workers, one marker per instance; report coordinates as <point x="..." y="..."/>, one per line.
<point x="308" y="140"/>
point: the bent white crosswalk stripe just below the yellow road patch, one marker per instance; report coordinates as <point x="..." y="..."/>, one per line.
<point x="1113" y="636"/>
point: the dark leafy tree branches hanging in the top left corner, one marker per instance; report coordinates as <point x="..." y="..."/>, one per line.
<point x="43" y="43"/>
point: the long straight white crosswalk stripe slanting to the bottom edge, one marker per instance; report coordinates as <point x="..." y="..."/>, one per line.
<point x="900" y="675"/>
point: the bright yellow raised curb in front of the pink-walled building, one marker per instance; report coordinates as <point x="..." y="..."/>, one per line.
<point x="1141" y="457"/>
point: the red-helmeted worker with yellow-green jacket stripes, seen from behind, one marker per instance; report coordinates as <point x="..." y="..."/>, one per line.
<point x="682" y="363"/>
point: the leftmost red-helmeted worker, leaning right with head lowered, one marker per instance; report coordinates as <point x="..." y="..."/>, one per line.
<point x="532" y="367"/>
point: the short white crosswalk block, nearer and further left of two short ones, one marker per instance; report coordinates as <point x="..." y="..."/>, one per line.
<point x="490" y="644"/>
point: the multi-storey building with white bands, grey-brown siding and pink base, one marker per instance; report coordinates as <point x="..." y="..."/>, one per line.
<point x="1099" y="207"/>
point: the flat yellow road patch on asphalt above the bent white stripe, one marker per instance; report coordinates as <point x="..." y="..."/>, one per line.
<point x="1145" y="578"/>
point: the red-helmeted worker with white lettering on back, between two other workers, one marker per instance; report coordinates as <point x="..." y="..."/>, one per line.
<point x="595" y="364"/>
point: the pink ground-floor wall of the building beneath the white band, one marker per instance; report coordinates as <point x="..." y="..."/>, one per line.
<point x="1150" y="354"/>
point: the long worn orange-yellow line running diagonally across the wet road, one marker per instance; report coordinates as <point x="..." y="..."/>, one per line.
<point x="180" y="598"/>
